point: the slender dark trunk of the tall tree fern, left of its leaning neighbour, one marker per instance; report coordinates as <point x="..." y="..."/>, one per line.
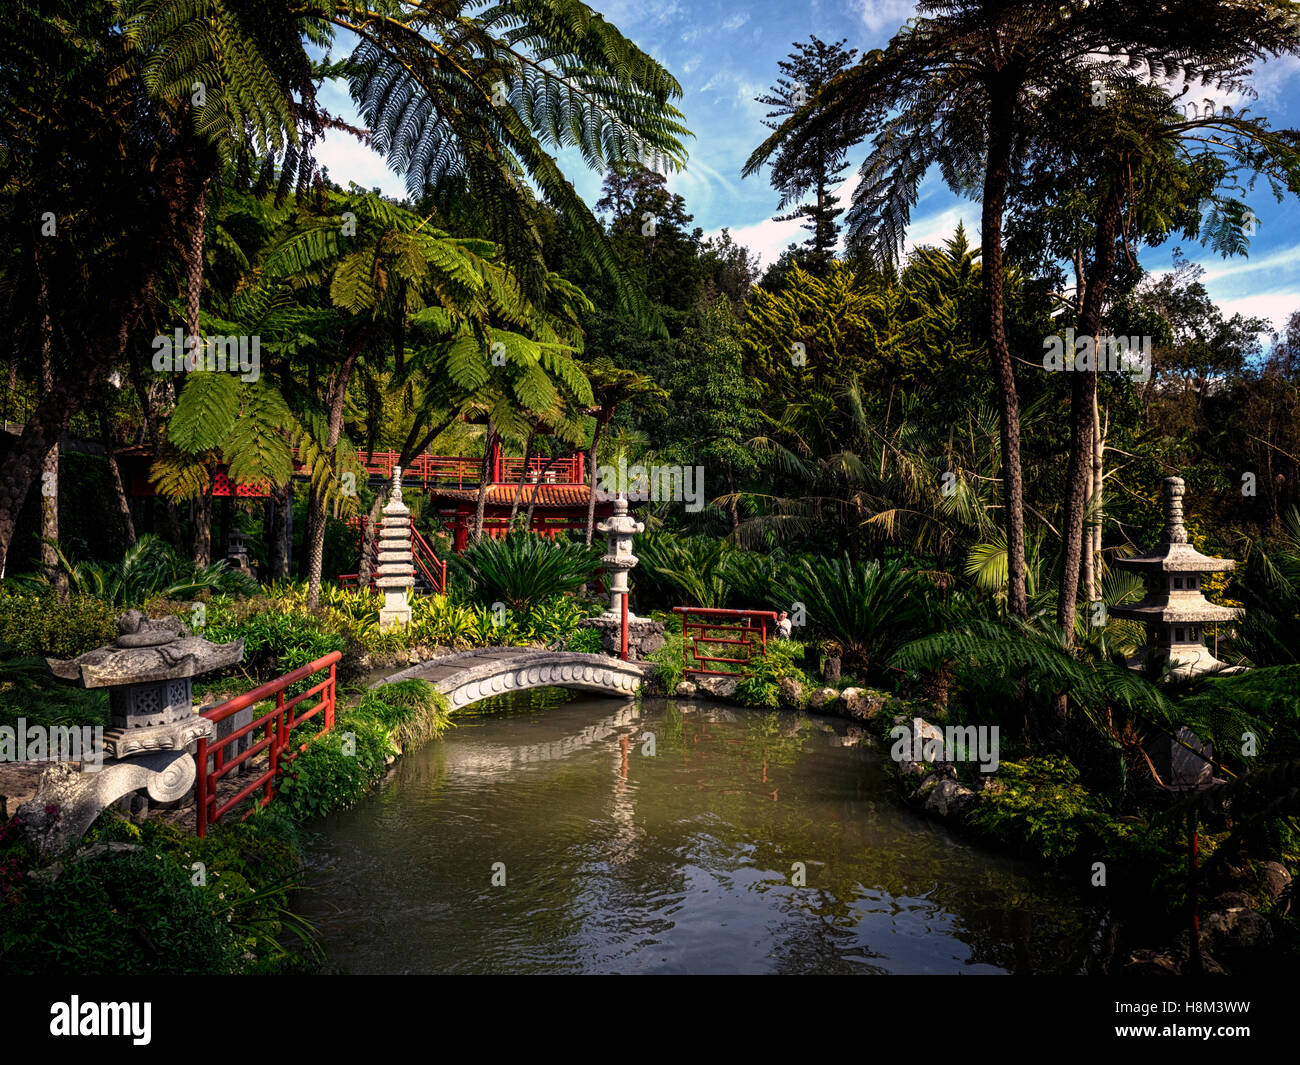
<point x="996" y="175"/>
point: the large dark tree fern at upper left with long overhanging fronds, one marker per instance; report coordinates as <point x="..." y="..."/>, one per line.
<point x="467" y="103"/>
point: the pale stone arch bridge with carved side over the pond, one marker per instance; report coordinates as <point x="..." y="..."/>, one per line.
<point x="470" y="677"/>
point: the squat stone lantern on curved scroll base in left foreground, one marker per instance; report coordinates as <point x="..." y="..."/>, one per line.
<point x="148" y="673"/>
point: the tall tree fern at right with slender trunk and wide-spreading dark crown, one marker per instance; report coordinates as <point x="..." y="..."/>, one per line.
<point x="956" y="89"/>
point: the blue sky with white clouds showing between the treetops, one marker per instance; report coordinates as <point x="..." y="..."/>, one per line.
<point x="726" y="55"/>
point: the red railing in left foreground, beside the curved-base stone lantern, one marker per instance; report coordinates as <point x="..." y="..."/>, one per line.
<point x="276" y="725"/>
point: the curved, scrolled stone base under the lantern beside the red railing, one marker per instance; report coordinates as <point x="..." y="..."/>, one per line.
<point x="68" y="802"/>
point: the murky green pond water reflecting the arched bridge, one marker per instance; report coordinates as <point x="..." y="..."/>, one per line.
<point x="617" y="860"/>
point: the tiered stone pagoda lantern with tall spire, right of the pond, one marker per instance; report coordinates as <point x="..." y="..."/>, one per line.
<point x="1175" y="611"/>
